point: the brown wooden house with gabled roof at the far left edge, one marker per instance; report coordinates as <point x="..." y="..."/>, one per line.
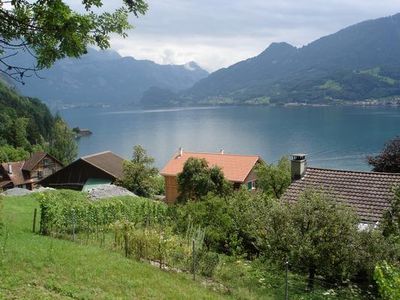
<point x="27" y="174"/>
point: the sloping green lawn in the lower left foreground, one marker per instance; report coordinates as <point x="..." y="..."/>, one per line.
<point x="39" y="267"/>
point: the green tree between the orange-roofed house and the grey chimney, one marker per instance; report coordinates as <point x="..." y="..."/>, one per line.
<point x="274" y="179"/>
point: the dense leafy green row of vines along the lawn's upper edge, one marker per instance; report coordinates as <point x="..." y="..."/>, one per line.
<point x="65" y="212"/>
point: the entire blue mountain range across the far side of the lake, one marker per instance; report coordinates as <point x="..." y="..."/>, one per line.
<point x="358" y="63"/>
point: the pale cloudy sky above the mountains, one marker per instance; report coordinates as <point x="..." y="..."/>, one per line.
<point x="219" y="33"/>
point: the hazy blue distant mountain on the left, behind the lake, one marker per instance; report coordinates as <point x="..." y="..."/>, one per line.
<point x="104" y="77"/>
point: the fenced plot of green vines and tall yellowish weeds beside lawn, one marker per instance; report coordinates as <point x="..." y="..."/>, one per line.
<point x="137" y="227"/>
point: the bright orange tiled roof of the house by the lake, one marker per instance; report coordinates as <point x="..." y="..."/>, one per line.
<point x="235" y="167"/>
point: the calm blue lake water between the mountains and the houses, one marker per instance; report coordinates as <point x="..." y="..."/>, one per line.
<point x="333" y="137"/>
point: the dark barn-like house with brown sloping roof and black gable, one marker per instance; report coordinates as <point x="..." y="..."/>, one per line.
<point x="99" y="168"/>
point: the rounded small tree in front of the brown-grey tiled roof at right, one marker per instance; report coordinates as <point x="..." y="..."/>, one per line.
<point x="325" y="236"/>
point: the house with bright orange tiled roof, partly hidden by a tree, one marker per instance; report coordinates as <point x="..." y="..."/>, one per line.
<point x="238" y="169"/>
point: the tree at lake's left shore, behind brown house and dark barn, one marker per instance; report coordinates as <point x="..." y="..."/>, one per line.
<point x="62" y="144"/>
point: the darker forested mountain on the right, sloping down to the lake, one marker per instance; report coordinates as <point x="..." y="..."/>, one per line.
<point x="357" y="63"/>
